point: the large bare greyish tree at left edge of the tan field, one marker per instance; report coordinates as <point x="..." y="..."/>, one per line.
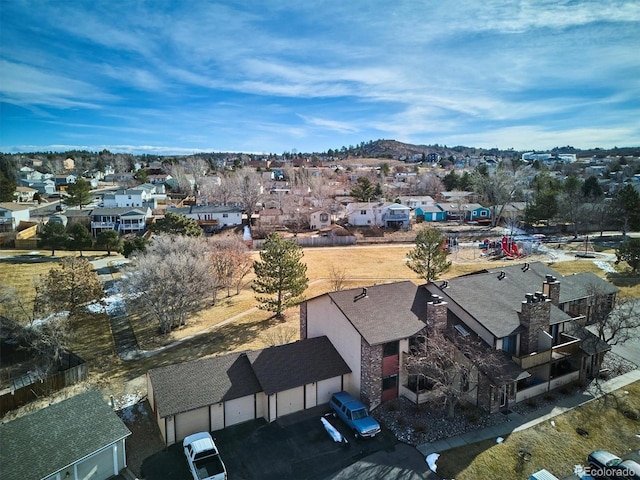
<point x="169" y="281"/>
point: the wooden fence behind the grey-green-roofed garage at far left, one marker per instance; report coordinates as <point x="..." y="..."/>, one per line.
<point x="23" y="392"/>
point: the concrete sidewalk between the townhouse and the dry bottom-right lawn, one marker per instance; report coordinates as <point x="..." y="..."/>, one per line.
<point x="519" y="422"/>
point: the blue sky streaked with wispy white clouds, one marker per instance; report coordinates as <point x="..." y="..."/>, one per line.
<point x="279" y="76"/>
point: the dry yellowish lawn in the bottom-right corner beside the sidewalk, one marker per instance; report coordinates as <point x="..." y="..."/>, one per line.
<point x="613" y="427"/>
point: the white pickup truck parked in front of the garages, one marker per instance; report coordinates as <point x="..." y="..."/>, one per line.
<point x="203" y="457"/>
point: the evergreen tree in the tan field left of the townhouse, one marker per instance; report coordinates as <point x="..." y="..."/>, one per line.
<point x="280" y="275"/>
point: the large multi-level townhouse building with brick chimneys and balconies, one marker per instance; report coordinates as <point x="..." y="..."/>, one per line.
<point x="527" y="311"/>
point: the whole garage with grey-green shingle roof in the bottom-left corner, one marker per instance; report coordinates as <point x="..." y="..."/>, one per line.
<point x="78" y="438"/>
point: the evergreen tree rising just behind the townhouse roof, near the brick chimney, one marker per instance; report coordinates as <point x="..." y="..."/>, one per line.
<point x="429" y="258"/>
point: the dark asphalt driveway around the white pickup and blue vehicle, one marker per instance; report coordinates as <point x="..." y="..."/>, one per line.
<point x="298" y="447"/>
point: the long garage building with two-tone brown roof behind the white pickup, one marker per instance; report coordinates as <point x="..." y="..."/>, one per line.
<point x="216" y="392"/>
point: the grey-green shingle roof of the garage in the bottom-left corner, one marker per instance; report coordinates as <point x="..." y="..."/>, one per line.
<point x="59" y="435"/>
